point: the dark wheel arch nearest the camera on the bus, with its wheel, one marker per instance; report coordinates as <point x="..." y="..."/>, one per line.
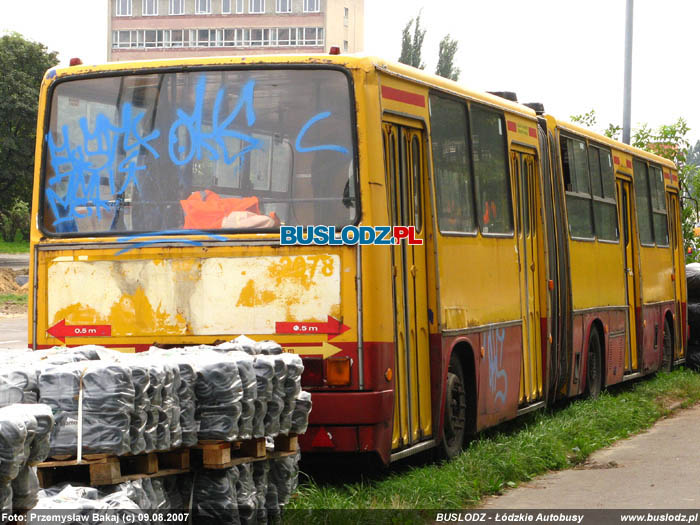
<point x="459" y="407"/>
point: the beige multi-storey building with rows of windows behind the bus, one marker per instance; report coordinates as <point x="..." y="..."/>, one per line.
<point x="148" y="29"/>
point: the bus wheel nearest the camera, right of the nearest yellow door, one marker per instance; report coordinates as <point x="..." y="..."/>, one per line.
<point x="455" y="411"/>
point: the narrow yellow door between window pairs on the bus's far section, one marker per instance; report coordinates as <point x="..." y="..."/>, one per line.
<point x="624" y="192"/>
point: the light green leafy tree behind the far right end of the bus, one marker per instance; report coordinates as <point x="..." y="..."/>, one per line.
<point x="671" y="142"/>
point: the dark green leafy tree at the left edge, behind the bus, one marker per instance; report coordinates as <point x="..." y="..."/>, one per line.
<point x="23" y="64"/>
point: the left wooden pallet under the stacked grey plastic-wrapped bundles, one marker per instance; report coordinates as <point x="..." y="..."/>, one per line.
<point x="100" y="469"/>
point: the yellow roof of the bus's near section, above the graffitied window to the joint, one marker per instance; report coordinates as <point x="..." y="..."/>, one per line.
<point x="354" y="61"/>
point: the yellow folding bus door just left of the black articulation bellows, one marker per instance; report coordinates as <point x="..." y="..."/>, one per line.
<point x="527" y="226"/>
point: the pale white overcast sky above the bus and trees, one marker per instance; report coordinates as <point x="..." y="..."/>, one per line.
<point x="568" y="55"/>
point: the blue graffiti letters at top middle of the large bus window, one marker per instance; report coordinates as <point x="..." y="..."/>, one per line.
<point x="184" y="150"/>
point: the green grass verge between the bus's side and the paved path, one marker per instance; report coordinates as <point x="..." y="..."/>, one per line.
<point x="514" y="452"/>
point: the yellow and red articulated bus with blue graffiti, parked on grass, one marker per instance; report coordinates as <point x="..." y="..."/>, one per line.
<point x="543" y="261"/>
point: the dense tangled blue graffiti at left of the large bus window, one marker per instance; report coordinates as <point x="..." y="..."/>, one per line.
<point x="80" y="169"/>
